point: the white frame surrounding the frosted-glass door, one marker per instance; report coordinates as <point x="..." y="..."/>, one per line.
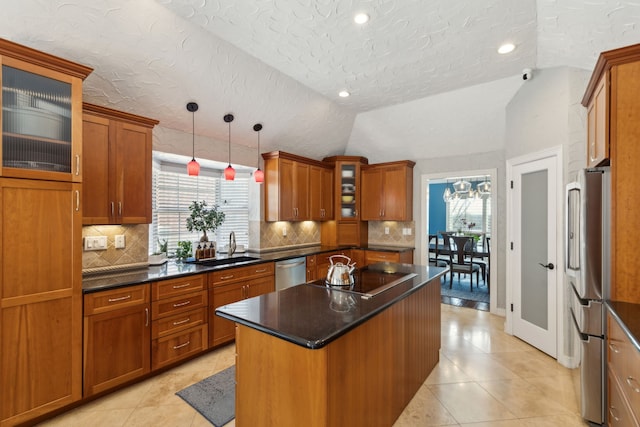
<point x="553" y="152"/>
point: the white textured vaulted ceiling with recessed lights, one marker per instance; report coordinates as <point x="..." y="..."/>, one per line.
<point x="282" y="62"/>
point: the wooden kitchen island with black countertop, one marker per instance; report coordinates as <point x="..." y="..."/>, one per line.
<point x="318" y="356"/>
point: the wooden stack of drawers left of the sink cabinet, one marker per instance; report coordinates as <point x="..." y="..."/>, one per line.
<point x="179" y="311"/>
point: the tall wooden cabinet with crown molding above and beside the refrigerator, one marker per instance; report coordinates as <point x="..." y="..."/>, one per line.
<point x="623" y="101"/>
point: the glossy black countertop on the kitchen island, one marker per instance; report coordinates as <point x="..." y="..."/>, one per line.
<point x="312" y="315"/>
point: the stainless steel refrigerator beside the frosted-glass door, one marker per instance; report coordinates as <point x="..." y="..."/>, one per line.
<point x="587" y="269"/>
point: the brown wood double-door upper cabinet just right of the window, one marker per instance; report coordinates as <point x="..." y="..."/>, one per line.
<point x="295" y="188"/>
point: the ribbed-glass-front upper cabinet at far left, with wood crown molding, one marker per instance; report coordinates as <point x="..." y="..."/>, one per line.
<point x="41" y="117"/>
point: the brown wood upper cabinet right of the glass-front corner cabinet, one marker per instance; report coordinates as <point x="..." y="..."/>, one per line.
<point x="387" y="191"/>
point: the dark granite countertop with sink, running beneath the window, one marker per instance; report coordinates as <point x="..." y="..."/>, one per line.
<point x="116" y="279"/>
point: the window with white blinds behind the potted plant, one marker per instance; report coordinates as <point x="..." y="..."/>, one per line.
<point x="174" y="191"/>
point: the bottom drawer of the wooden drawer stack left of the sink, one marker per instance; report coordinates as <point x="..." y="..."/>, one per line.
<point x="174" y="347"/>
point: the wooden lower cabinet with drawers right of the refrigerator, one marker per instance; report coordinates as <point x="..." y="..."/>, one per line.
<point x="623" y="360"/>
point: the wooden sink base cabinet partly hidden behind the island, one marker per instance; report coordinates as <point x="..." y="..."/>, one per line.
<point x="231" y="285"/>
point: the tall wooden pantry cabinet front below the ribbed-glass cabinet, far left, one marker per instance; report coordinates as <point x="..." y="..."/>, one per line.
<point x="40" y="298"/>
